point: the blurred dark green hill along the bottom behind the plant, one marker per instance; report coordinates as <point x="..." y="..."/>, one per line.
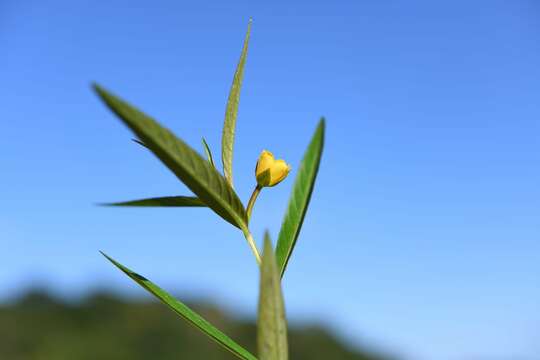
<point x="105" y="327"/>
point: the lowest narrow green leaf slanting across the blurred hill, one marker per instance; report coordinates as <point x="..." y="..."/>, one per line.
<point x="186" y="313"/>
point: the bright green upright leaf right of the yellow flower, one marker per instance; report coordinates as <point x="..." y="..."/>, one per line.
<point x="299" y="200"/>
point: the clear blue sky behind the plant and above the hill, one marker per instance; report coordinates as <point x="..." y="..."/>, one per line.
<point x="423" y="234"/>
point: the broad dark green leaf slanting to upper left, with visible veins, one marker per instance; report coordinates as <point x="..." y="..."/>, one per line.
<point x="193" y="170"/>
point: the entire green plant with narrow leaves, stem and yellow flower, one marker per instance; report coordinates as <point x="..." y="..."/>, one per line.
<point x="216" y="191"/>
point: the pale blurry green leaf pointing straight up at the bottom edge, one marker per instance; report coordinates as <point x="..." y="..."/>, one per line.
<point x="271" y="324"/>
